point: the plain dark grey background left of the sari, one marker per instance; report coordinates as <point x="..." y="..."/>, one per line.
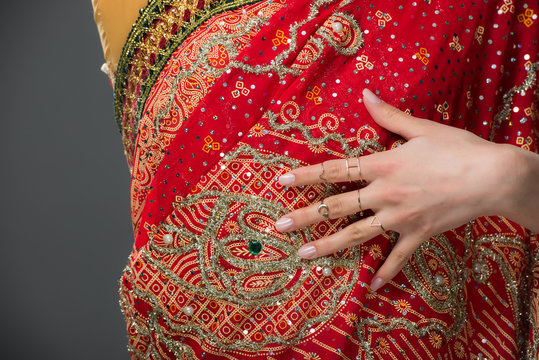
<point x="64" y="184"/>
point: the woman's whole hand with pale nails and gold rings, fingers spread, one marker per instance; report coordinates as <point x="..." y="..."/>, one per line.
<point x="441" y="178"/>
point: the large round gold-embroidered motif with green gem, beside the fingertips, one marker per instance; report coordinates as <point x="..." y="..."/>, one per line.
<point x="272" y="279"/>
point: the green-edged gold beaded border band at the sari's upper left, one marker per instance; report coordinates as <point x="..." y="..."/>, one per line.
<point x="143" y="57"/>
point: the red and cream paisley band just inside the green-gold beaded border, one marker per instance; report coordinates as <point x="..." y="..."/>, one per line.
<point x="157" y="128"/>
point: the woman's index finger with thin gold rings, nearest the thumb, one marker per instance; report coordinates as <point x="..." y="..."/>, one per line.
<point x="332" y="171"/>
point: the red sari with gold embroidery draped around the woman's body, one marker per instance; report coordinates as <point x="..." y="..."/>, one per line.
<point x="217" y="99"/>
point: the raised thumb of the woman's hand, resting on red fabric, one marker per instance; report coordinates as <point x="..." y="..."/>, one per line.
<point x="392" y="118"/>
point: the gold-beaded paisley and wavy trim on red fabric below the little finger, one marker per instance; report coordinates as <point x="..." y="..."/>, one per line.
<point x="448" y="297"/>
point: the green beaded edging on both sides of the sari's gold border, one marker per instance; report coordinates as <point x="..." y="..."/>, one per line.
<point x="144" y="23"/>
